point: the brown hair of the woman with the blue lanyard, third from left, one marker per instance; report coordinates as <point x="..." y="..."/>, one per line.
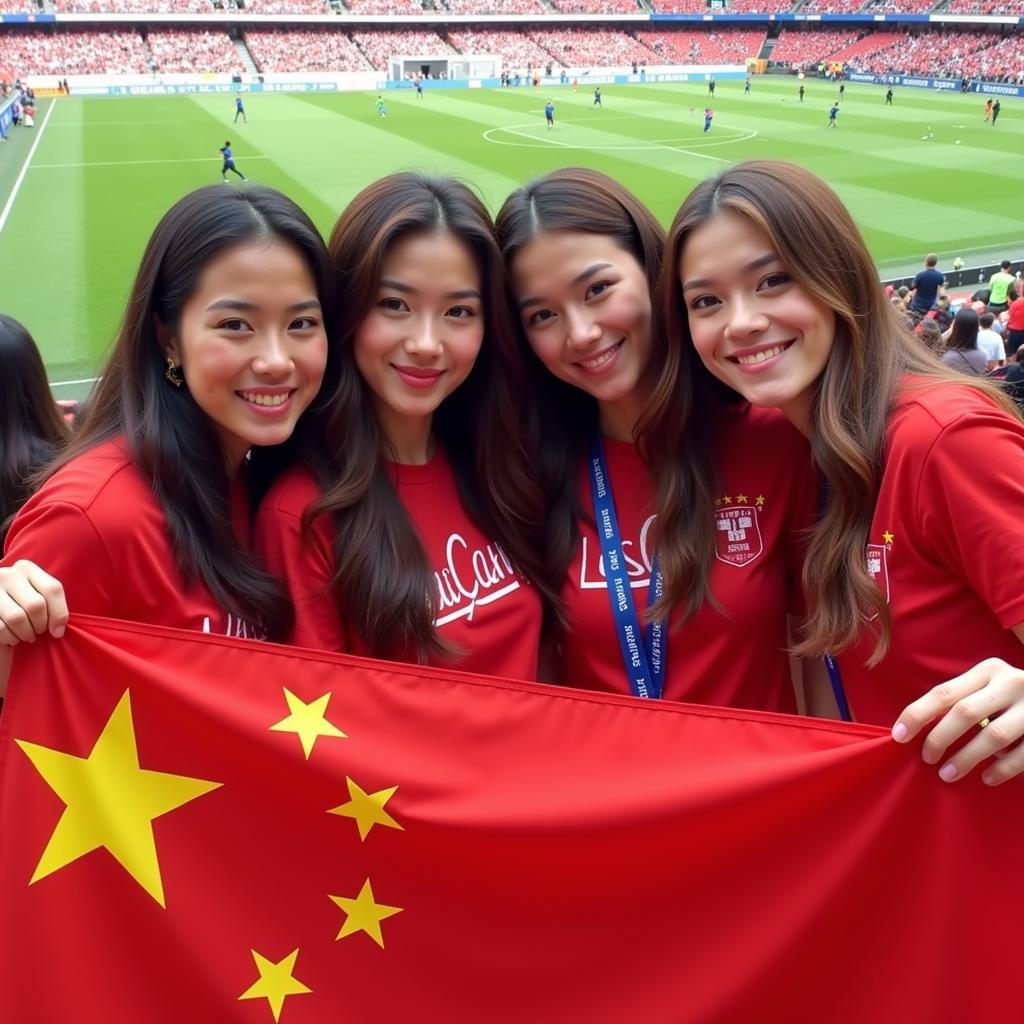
<point x="562" y="419"/>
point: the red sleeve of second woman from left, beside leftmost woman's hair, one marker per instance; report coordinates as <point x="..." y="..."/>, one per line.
<point x="305" y="563"/>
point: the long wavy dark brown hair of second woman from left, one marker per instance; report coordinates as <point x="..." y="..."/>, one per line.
<point x="383" y="581"/>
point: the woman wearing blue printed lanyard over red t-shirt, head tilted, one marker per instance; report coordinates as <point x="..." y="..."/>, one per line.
<point x="585" y="258"/>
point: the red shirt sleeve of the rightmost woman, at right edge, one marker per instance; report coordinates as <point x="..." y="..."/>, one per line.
<point x="971" y="497"/>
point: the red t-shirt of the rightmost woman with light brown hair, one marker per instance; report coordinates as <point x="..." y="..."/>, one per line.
<point x="945" y="547"/>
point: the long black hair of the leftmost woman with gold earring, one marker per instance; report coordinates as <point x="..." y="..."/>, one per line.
<point x="172" y="440"/>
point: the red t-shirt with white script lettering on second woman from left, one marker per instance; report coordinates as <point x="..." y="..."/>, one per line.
<point x="484" y="608"/>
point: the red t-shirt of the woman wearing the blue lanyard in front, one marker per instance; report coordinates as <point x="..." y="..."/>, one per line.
<point x="735" y="656"/>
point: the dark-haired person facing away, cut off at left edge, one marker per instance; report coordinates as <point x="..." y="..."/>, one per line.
<point x="32" y="430"/>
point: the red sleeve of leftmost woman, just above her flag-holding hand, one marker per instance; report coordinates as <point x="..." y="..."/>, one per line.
<point x="63" y="541"/>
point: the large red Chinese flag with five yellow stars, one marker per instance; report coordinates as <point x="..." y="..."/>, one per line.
<point x="201" y="830"/>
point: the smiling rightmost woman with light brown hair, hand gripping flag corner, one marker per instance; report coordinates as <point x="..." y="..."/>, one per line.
<point x="909" y="574"/>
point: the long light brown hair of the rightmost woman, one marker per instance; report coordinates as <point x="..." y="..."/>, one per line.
<point x="873" y="355"/>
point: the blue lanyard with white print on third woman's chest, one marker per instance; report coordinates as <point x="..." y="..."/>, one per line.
<point x="644" y="656"/>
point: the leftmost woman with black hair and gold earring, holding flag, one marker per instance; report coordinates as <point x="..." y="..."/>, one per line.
<point x="223" y="347"/>
